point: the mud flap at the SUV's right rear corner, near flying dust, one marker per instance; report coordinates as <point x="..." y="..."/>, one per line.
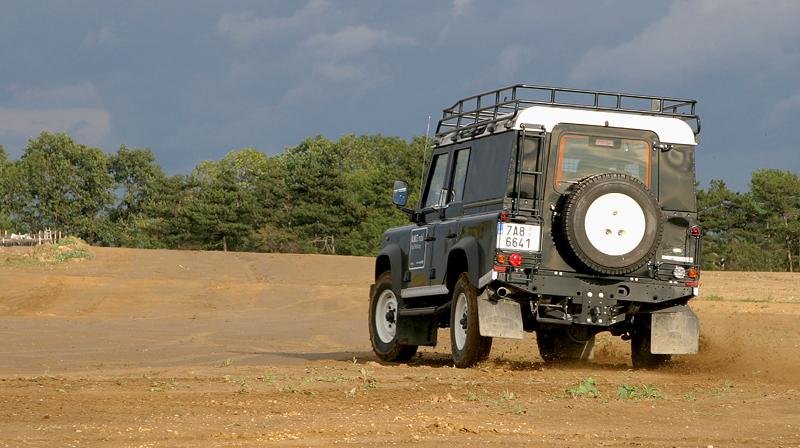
<point x="674" y="331"/>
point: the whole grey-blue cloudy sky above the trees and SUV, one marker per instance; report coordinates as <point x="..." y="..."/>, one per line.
<point x="193" y="80"/>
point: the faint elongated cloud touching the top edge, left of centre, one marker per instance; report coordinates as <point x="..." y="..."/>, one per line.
<point x="245" y="28"/>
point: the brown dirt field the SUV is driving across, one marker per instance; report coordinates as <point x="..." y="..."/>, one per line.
<point x="168" y="348"/>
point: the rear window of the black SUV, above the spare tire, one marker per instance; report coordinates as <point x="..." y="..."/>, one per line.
<point x="580" y="156"/>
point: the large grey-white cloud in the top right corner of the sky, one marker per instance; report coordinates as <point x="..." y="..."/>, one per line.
<point x="698" y="37"/>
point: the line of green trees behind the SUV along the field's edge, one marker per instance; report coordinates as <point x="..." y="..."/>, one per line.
<point x="318" y="196"/>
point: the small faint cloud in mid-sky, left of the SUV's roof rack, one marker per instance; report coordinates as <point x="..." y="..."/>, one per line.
<point x="353" y="40"/>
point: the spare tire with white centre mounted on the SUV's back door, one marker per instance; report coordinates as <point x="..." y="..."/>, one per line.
<point x="611" y="223"/>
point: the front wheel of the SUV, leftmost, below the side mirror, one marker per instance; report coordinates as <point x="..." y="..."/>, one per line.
<point x="383" y="339"/>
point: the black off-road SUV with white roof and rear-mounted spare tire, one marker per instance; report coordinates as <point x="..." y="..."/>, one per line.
<point x="560" y="211"/>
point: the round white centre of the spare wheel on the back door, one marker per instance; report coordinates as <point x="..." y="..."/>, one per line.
<point x="615" y="224"/>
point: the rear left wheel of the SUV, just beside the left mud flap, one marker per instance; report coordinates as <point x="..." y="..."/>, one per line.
<point x="468" y="346"/>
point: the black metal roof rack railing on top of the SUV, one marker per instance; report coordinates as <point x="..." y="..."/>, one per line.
<point x="477" y="113"/>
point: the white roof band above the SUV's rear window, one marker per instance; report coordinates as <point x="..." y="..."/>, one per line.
<point x="669" y="130"/>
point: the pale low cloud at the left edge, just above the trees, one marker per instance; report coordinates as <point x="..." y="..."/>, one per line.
<point x="90" y="125"/>
